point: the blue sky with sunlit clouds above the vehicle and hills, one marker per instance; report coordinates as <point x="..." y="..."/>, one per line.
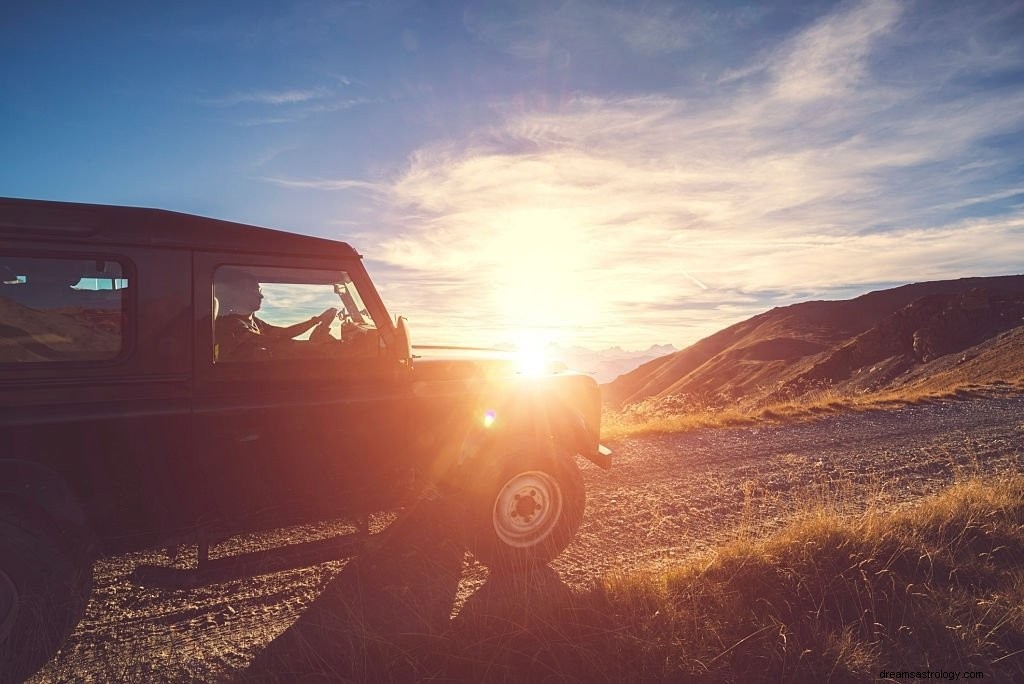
<point x="593" y="174"/>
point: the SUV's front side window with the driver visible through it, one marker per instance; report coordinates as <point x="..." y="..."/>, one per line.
<point x="266" y="315"/>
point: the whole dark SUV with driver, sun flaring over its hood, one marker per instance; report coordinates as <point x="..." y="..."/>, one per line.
<point x="167" y="377"/>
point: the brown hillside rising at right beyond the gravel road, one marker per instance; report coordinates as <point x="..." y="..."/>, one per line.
<point x="938" y="335"/>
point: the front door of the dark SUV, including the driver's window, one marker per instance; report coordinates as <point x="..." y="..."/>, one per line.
<point x="297" y="411"/>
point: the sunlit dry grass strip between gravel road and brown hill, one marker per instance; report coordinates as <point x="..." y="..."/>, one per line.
<point x="685" y="413"/>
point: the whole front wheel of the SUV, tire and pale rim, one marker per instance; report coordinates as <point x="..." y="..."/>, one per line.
<point x="526" y="506"/>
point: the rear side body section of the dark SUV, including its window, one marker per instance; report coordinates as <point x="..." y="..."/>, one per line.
<point x="95" y="364"/>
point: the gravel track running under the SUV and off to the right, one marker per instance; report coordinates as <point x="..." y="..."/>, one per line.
<point x="667" y="498"/>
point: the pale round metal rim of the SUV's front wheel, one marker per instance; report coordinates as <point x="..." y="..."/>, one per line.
<point x="528" y="509"/>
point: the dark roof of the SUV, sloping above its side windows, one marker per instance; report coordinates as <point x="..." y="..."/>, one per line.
<point x="105" y="225"/>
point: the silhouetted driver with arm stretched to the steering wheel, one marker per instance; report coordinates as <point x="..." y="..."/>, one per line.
<point x="239" y="334"/>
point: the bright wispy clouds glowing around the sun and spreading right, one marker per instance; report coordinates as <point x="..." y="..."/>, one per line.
<point x="857" y="153"/>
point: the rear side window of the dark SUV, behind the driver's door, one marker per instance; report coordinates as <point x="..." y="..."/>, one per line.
<point x="57" y="310"/>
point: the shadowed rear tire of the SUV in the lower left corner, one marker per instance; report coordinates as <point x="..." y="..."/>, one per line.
<point x="46" y="580"/>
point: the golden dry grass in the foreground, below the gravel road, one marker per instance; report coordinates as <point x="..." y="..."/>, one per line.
<point x="832" y="597"/>
